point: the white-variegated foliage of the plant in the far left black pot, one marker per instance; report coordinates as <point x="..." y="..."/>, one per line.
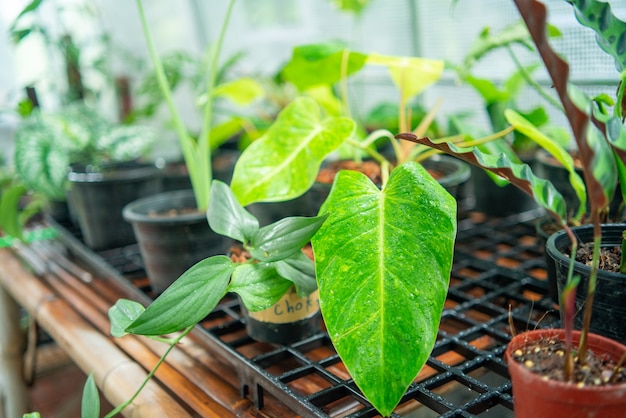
<point x="46" y="144"/>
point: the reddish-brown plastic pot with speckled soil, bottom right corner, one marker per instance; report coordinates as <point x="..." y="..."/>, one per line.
<point x="533" y="358"/>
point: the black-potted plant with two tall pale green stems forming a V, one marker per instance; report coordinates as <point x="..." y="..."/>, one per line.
<point x="169" y="222"/>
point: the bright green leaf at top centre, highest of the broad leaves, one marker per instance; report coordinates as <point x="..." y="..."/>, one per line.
<point x="312" y="65"/>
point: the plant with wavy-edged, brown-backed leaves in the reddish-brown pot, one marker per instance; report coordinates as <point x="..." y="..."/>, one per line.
<point x="600" y="141"/>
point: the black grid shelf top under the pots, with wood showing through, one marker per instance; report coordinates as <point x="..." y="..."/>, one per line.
<point x="498" y="272"/>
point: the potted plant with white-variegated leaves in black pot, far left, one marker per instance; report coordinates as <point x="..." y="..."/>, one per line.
<point x="76" y="154"/>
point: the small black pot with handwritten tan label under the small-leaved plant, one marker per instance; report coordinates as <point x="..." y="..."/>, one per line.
<point x="290" y="320"/>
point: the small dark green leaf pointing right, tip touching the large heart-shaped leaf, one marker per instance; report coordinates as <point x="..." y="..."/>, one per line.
<point x="284" y="238"/>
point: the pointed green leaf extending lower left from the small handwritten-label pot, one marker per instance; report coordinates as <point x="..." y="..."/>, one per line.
<point x="188" y="300"/>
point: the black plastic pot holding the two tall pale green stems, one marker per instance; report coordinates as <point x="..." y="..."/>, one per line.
<point x="171" y="243"/>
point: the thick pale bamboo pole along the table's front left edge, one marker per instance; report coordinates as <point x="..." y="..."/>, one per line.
<point x="115" y="373"/>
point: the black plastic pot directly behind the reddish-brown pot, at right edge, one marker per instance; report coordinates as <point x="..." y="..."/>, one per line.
<point x="609" y="307"/>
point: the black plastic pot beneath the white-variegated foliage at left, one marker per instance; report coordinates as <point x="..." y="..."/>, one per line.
<point x="98" y="197"/>
